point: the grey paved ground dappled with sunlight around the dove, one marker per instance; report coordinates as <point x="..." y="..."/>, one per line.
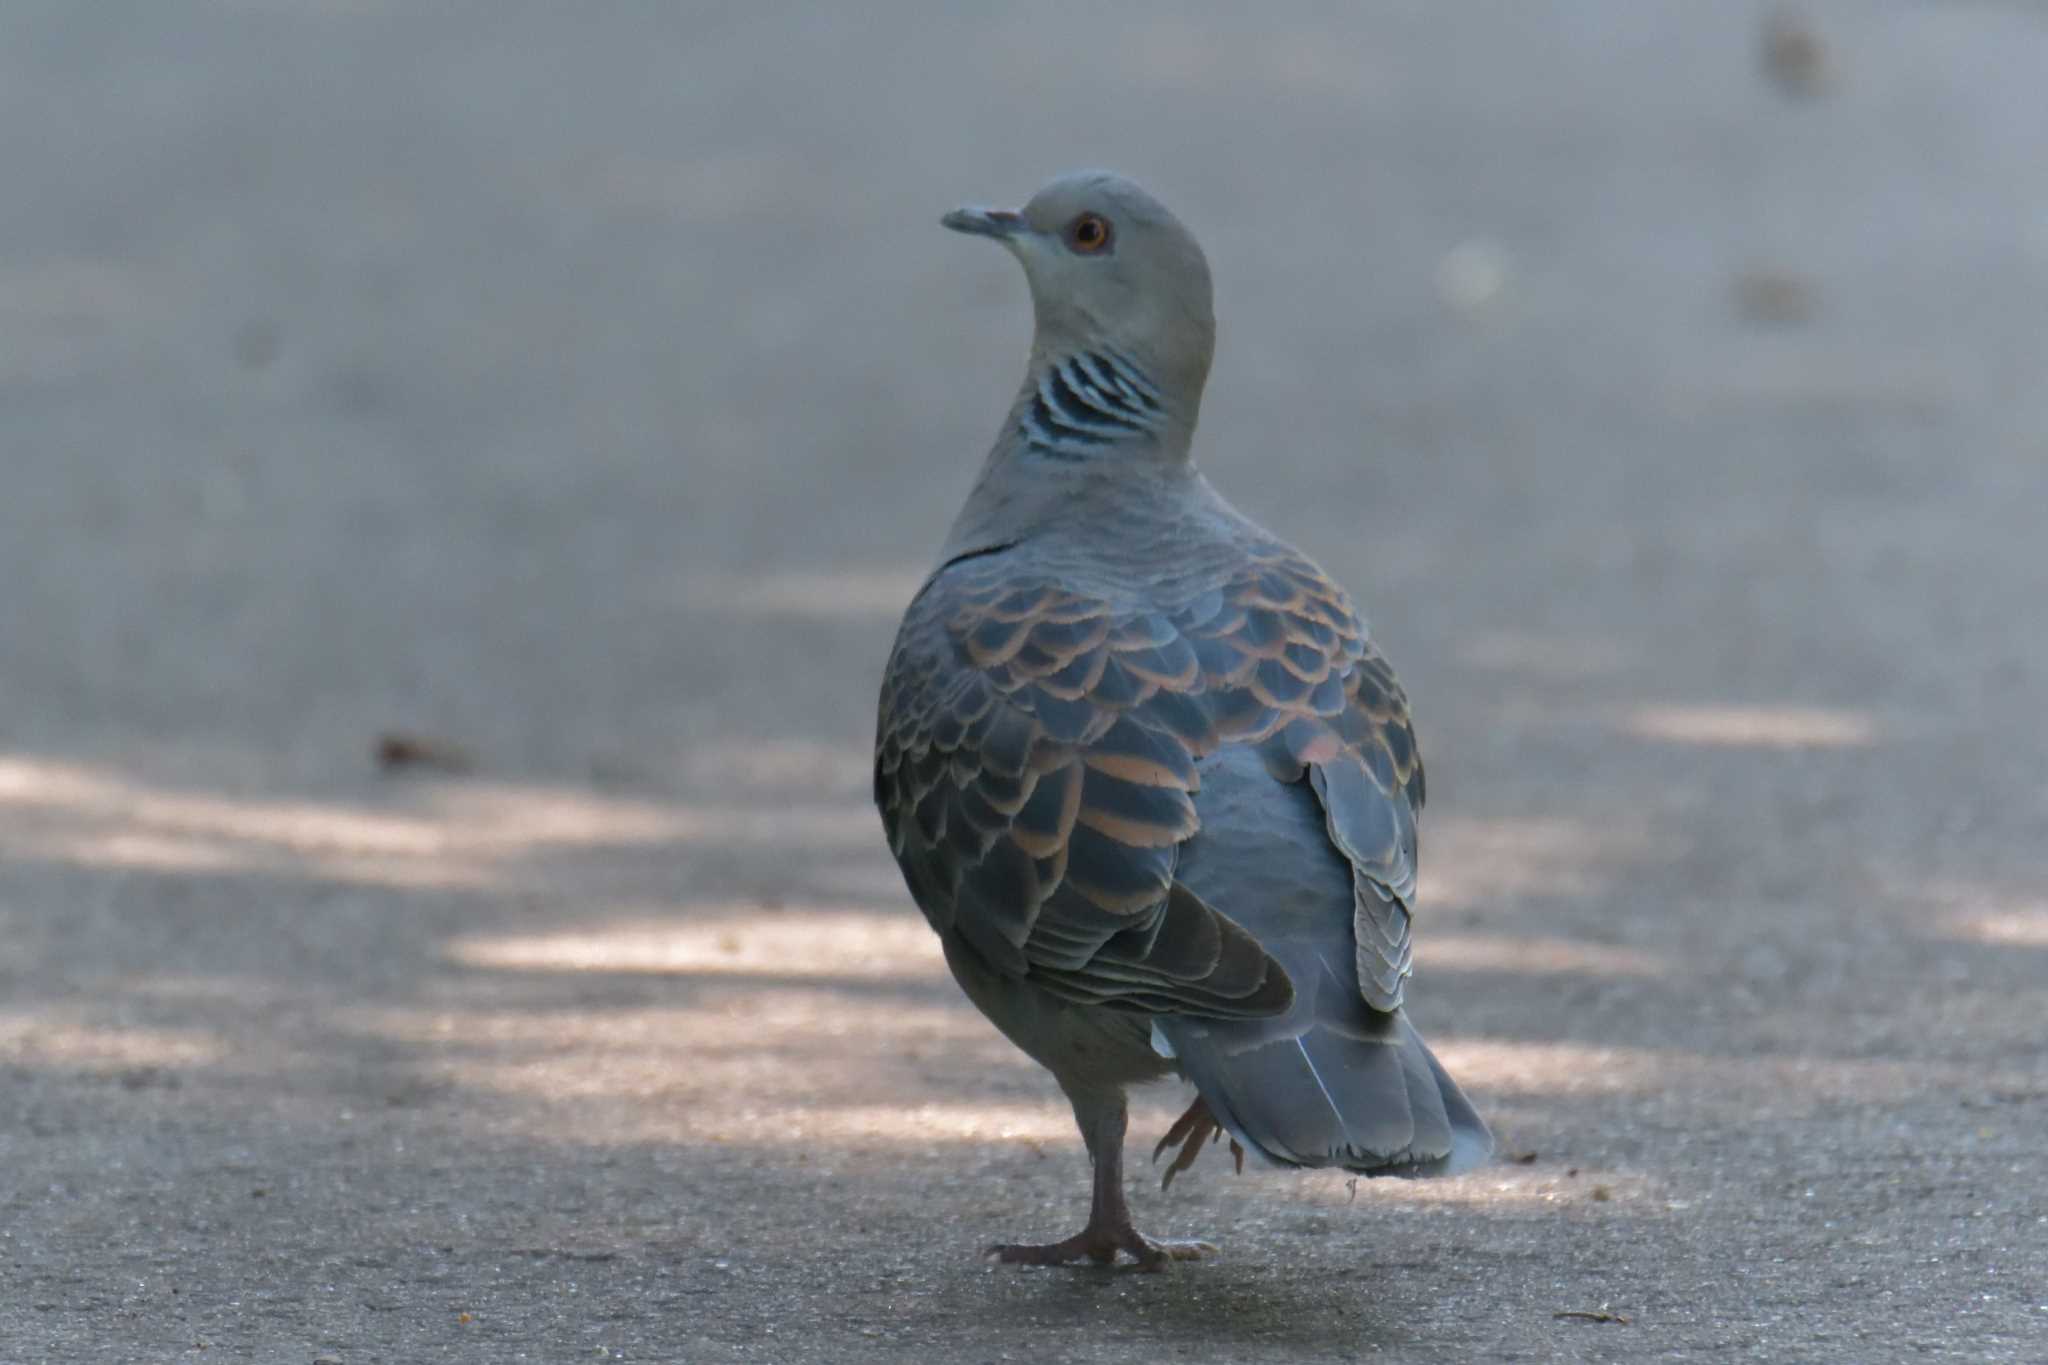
<point x="591" y="388"/>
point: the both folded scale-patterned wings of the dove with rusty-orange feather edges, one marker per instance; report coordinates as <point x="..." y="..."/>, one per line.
<point x="1037" y="760"/>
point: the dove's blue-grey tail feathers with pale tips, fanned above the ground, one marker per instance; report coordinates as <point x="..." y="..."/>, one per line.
<point x="1363" y="1094"/>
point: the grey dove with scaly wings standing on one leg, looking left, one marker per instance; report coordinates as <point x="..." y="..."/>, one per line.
<point x="1142" y="764"/>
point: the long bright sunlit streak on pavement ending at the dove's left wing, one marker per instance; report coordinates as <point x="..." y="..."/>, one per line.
<point x="744" y="942"/>
